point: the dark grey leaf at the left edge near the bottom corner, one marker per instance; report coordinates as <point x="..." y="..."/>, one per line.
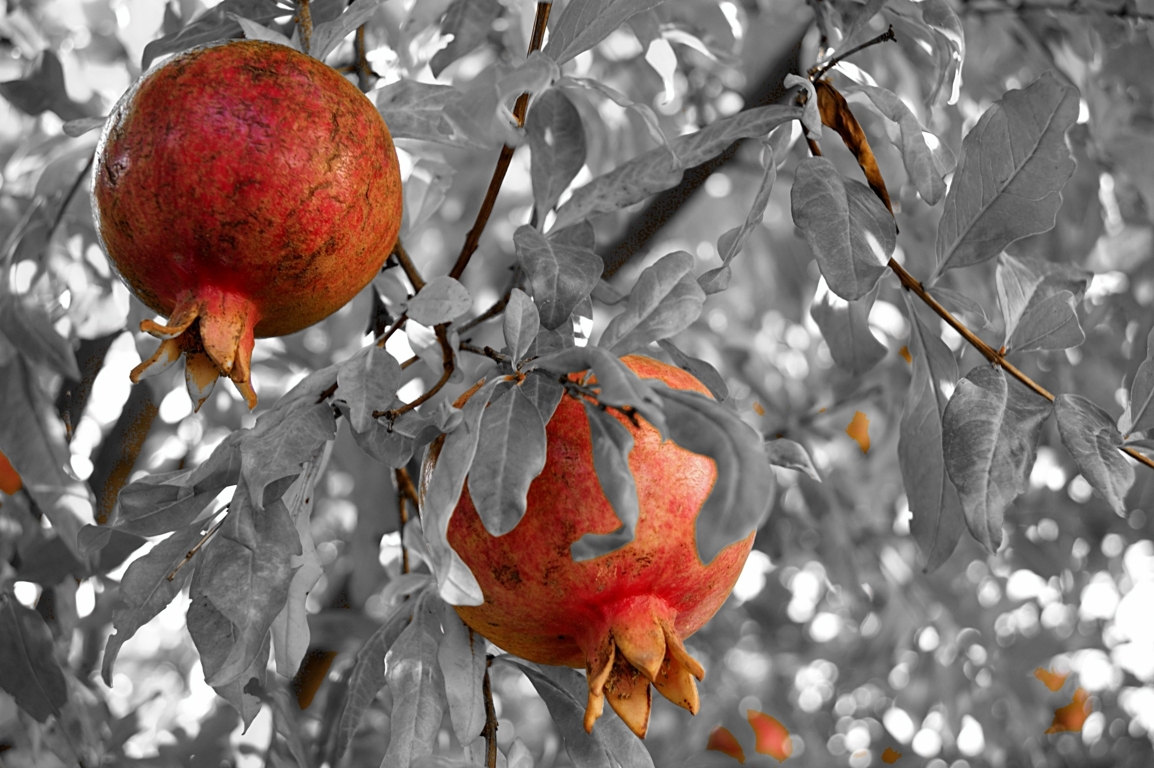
<point x="32" y="675"/>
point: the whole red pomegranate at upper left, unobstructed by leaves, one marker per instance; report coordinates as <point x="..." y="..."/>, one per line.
<point x="243" y="190"/>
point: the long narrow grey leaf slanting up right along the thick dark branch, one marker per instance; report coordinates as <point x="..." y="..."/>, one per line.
<point x="660" y="170"/>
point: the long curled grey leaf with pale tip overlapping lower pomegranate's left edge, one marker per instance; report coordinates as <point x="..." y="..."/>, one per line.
<point x="451" y="465"/>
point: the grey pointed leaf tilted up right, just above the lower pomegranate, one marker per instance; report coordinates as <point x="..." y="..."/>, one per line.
<point x="665" y="302"/>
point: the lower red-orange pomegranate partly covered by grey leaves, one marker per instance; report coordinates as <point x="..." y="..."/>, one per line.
<point x="623" y="616"/>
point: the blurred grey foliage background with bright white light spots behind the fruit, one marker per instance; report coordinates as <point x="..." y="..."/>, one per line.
<point x="835" y="630"/>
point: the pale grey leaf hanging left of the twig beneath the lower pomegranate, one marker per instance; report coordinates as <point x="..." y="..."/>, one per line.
<point x="463" y="665"/>
